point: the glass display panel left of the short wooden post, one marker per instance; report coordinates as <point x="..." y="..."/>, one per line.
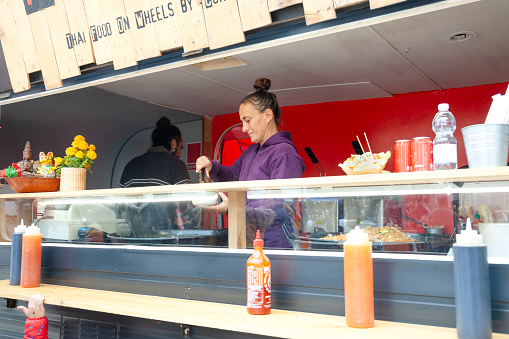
<point x="150" y="219"/>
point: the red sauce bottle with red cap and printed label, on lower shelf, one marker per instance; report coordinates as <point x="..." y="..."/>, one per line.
<point x="258" y="280"/>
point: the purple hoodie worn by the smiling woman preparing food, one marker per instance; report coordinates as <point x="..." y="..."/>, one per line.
<point x="277" y="158"/>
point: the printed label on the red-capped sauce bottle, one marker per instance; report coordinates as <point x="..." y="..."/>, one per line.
<point x="258" y="282"/>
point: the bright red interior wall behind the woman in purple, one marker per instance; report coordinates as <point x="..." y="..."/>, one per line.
<point x="329" y="128"/>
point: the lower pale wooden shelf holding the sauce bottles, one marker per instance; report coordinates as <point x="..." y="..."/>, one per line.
<point x="280" y="323"/>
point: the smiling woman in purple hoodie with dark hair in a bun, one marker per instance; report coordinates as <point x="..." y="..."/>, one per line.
<point x="271" y="156"/>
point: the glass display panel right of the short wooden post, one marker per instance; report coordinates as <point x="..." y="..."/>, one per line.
<point x="404" y="218"/>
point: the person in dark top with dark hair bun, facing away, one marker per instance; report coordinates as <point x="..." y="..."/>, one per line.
<point x="160" y="165"/>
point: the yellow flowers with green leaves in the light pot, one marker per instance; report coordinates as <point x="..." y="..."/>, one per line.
<point x="80" y="154"/>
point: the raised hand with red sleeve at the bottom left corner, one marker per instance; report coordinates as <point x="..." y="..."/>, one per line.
<point x="36" y="325"/>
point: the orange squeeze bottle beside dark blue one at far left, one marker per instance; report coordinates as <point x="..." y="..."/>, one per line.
<point x="31" y="257"/>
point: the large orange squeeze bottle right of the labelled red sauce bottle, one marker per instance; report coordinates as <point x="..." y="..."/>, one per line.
<point x="358" y="276"/>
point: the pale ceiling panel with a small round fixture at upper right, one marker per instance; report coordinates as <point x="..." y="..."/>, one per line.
<point x="477" y="61"/>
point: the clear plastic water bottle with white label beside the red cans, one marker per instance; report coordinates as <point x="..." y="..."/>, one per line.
<point x="445" y="146"/>
